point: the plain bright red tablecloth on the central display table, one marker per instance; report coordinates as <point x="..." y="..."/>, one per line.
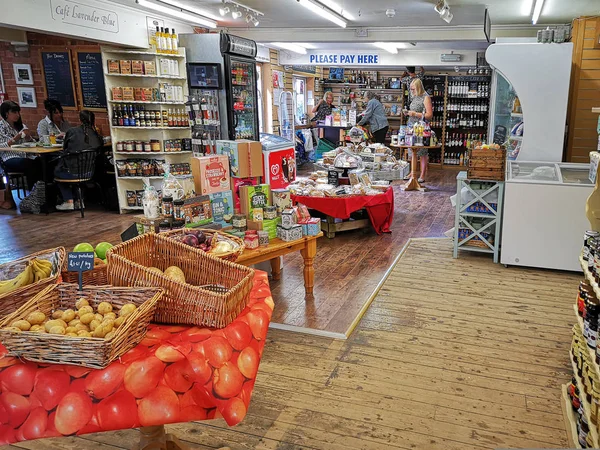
<point x="379" y="207"/>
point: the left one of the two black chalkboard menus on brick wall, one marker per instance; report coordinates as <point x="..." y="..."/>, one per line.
<point x="59" y="77"/>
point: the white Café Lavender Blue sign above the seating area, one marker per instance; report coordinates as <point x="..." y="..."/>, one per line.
<point x="80" y="14"/>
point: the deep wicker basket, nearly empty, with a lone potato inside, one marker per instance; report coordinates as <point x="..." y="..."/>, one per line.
<point x="217" y="292"/>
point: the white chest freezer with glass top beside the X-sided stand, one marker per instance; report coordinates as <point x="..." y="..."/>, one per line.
<point x="544" y="214"/>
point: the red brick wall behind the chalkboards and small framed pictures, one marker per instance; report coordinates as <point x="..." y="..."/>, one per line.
<point x="31" y="116"/>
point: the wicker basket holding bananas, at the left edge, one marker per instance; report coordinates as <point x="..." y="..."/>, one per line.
<point x="11" y="301"/>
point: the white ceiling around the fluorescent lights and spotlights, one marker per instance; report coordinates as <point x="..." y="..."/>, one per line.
<point x="289" y="13"/>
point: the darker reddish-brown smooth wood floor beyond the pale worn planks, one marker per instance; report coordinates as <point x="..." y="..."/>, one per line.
<point x="347" y="268"/>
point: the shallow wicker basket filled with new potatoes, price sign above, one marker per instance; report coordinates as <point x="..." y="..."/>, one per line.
<point x="81" y="351"/>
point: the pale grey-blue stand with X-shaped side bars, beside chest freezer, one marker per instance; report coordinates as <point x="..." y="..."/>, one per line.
<point x="477" y="241"/>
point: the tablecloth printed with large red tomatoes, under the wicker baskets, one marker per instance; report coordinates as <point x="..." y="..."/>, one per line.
<point x="176" y="374"/>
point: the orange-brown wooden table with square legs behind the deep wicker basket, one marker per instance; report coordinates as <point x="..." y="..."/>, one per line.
<point x="276" y="248"/>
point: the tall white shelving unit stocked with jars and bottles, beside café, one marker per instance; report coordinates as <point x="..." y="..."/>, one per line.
<point x="123" y="133"/>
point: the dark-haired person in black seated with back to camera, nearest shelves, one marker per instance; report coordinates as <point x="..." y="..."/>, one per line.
<point x="83" y="137"/>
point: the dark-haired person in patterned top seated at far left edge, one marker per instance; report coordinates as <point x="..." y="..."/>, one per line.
<point x="12" y="132"/>
